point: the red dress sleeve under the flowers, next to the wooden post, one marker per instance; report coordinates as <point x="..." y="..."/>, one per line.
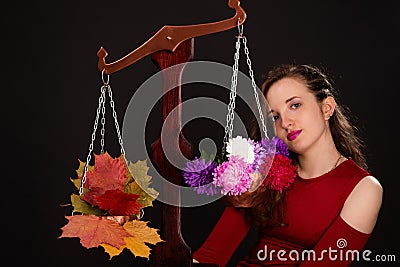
<point x="224" y="239"/>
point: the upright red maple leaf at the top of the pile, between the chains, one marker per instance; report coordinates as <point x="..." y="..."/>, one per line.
<point x="108" y="174"/>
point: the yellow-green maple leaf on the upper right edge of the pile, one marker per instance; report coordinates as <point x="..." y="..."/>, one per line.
<point x="140" y="183"/>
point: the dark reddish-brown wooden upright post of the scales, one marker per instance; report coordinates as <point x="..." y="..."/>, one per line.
<point x="174" y="252"/>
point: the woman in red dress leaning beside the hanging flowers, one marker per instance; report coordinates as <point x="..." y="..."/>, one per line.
<point x="328" y="214"/>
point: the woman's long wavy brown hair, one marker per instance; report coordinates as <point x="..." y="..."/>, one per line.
<point x="266" y="207"/>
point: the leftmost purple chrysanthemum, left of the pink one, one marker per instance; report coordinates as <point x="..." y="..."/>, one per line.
<point x="198" y="174"/>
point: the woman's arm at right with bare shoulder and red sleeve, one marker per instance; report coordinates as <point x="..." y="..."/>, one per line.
<point x="343" y="241"/>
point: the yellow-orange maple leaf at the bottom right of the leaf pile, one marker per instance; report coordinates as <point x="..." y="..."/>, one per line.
<point x="141" y="234"/>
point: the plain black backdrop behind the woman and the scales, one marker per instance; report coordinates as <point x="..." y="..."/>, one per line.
<point x="52" y="88"/>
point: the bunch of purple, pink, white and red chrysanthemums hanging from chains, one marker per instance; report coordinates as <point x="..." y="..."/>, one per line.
<point x="249" y="163"/>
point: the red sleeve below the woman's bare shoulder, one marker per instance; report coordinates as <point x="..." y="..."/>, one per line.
<point x="339" y="246"/>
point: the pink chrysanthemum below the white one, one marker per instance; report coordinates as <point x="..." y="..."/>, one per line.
<point x="233" y="176"/>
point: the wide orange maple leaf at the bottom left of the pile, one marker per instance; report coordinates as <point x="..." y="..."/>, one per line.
<point x="93" y="231"/>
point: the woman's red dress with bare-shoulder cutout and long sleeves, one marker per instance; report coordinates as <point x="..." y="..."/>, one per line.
<point x="315" y="234"/>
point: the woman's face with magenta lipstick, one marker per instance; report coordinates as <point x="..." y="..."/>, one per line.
<point x="298" y="118"/>
